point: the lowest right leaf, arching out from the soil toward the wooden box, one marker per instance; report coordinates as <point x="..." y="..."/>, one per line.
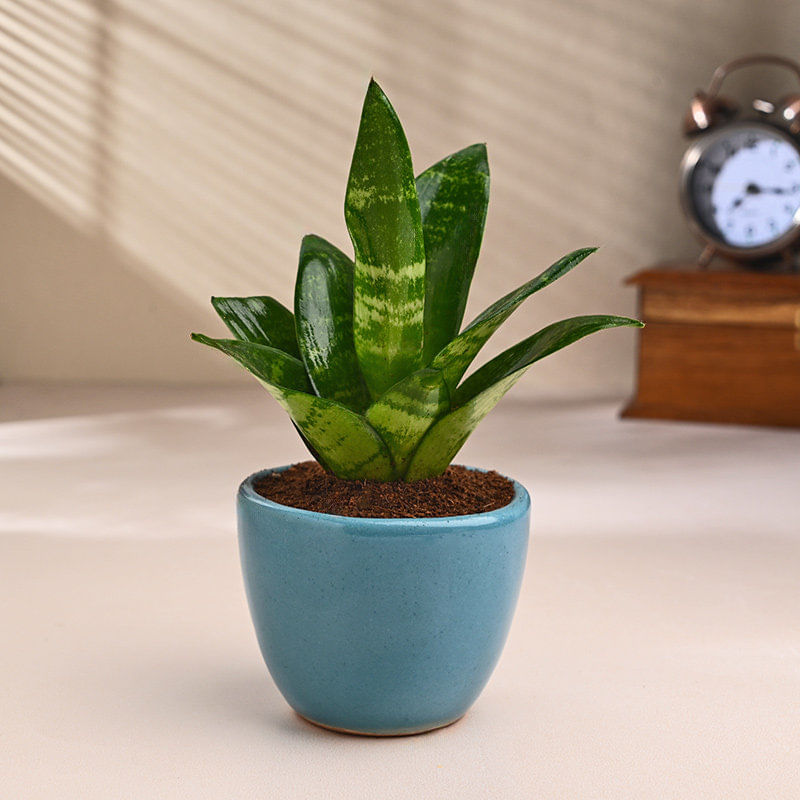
<point x="479" y="394"/>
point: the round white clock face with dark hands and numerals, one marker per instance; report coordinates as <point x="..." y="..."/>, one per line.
<point x="745" y="186"/>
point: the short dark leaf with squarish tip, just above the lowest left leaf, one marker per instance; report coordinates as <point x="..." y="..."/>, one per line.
<point x="261" y="320"/>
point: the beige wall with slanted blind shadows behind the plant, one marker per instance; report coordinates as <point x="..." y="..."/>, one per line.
<point x="152" y="154"/>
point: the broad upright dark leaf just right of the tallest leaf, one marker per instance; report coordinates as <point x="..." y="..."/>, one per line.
<point x="453" y="198"/>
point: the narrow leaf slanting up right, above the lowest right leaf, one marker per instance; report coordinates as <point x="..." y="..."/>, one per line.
<point x="456" y="357"/>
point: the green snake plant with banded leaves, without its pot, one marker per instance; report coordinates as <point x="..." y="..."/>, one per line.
<point x="370" y="366"/>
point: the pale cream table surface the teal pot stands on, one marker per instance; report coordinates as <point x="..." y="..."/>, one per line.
<point x="655" y="652"/>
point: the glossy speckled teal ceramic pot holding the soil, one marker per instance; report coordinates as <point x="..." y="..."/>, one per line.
<point x="380" y="626"/>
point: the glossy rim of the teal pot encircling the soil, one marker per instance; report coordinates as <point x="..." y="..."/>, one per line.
<point x="518" y="507"/>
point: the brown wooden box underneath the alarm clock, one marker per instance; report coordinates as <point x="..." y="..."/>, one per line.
<point x="718" y="346"/>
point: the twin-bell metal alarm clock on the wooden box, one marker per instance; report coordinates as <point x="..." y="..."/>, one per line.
<point x="740" y="176"/>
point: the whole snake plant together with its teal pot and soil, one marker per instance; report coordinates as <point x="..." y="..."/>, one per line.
<point x="391" y="621"/>
